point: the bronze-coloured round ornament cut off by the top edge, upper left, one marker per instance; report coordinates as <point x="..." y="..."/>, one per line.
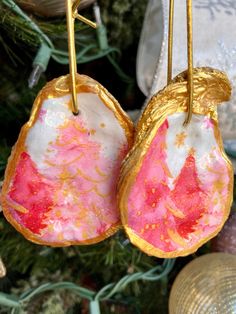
<point x="49" y="8"/>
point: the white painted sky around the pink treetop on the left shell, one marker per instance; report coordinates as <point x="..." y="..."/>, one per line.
<point x="55" y="112"/>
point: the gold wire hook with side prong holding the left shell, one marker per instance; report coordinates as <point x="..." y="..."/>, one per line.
<point x="71" y="15"/>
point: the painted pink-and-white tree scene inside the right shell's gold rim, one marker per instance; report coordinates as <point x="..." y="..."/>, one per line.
<point x="177" y="198"/>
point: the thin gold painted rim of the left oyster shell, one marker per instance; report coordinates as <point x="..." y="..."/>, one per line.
<point x="53" y="89"/>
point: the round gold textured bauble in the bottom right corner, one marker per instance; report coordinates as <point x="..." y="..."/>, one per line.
<point x="207" y="285"/>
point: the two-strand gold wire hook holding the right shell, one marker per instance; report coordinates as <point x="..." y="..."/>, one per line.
<point x="190" y="53"/>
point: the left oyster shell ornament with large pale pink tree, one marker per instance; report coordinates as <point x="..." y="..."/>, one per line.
<point x="60" y="182"/>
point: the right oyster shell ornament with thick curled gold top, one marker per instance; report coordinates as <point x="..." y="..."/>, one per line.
<point x="175" y="187"/>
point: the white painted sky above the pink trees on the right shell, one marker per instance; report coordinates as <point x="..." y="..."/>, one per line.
<point x="199" y="135"/>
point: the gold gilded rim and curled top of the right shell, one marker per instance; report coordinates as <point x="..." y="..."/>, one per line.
<point x="147" y="128"/>
